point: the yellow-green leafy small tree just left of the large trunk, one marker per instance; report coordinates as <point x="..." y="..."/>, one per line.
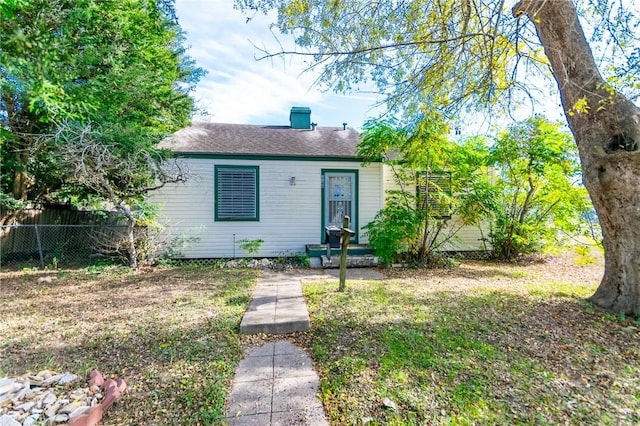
<point x="537" y="168"/>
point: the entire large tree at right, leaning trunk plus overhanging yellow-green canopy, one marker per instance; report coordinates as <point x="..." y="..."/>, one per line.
<point x="452" y="54"/>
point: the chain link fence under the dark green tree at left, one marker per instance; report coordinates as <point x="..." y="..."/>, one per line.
<point x="61" y="246"/>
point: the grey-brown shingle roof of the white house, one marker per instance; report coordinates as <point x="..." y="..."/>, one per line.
<point x="244" y="139"/>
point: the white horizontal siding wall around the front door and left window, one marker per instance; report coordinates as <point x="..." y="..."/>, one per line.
<point x="290" y="216"/>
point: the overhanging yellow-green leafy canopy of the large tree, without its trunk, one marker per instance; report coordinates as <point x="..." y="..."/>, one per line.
<point x="445" y="53"/>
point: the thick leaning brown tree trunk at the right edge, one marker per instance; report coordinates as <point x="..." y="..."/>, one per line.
<point x="608" y="135"/>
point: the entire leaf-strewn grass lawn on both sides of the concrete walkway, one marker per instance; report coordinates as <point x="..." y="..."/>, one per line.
<point x="485" y="343"/>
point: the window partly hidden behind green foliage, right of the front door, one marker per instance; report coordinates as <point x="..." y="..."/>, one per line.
<point x="434" y="194"/>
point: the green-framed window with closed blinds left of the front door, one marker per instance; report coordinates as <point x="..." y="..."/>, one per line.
<point x="236" y="194"/>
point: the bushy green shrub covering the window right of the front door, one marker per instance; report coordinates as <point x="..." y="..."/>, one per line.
<point x="414" y="225"/>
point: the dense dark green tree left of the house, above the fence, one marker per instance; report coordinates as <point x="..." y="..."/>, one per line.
<point x="119" y="67"/>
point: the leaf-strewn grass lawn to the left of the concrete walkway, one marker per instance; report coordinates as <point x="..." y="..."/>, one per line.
<point x="172" y="336"/>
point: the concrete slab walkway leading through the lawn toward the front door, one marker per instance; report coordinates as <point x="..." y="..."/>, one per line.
<point x="276" y="383"/>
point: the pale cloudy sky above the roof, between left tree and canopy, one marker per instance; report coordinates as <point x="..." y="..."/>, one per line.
<point x="239" y="89"/>
